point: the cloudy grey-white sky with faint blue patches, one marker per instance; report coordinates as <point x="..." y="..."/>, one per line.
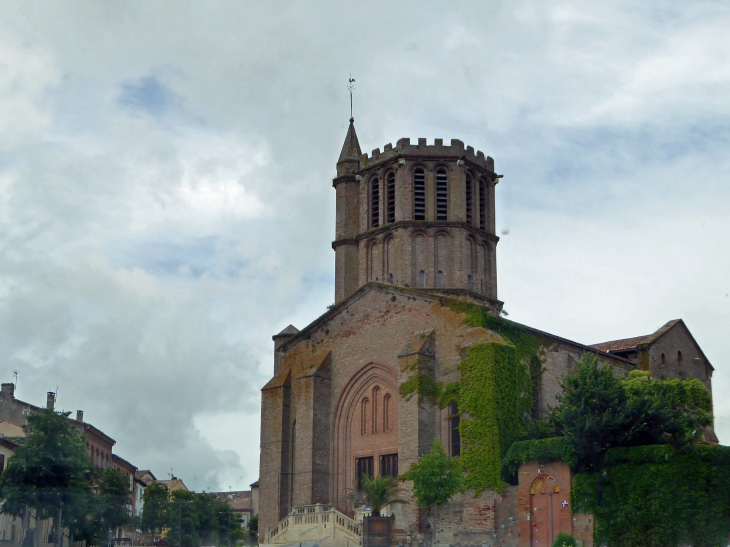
<point x="166" y="202"/>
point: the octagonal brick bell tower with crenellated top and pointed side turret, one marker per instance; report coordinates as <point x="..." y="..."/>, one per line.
<point x="415" y="216"/>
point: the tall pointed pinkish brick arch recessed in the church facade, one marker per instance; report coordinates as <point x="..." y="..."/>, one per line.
<point x="354" y="441"/>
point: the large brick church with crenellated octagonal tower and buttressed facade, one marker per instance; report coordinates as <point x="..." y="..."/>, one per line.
<point x="415" y="260"/>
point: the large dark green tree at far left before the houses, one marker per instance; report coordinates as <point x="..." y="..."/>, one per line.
<point x="49" y="472"/>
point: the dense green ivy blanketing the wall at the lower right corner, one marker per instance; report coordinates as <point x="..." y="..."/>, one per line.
<point x="656" y="496"/>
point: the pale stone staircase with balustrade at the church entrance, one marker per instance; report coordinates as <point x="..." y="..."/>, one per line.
<point x="314" y="526"/>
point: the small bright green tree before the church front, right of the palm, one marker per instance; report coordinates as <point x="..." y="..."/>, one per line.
<point x="436" y="477"/>
